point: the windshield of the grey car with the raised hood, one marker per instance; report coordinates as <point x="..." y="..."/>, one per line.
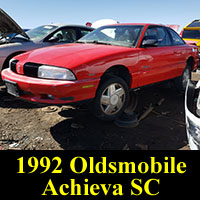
<point x="40" y="32"/>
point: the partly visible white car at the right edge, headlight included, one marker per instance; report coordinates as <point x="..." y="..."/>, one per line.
<point x="192" y="113"/>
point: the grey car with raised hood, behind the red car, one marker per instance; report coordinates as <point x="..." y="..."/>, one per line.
<point x="42" y="36"/>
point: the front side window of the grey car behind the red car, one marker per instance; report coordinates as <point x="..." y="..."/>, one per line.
<point x="65" y="35"/>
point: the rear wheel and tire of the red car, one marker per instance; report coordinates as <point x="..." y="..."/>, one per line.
<point x="181" y="82"/>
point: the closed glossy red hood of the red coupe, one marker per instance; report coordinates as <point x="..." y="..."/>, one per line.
<point x="72" y="55"/>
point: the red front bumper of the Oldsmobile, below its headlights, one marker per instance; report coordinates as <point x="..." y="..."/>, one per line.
<point x="52" y="91"/>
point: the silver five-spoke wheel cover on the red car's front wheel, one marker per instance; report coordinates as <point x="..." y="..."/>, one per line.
<point x="112" y="99"/>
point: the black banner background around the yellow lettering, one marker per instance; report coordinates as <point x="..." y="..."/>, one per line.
<point x="25" y="186"/>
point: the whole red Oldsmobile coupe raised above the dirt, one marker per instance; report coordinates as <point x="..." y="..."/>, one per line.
<point x="103" y="66"/>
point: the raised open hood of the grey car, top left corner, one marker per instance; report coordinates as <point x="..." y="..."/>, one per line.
<point x="8" y="26"/>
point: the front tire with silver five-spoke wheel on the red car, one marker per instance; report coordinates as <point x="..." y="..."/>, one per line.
<point x="111" y="98"/>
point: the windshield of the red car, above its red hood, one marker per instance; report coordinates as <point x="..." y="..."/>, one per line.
<point x="123" y="35"/>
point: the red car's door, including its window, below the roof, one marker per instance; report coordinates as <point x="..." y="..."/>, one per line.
<point x="156" y="63"/>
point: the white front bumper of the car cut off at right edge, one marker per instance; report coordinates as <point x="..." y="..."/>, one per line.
<point x="192" y="121"/>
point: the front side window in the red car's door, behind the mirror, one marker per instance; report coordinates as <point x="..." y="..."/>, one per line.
<point x="160" y="33"/>
